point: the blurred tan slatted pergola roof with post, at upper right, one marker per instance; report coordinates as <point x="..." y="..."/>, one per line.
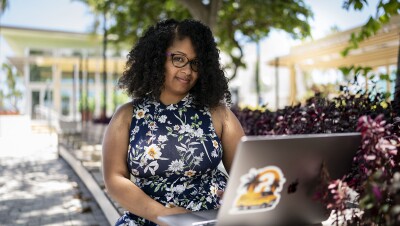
<point x="377" y="51"/>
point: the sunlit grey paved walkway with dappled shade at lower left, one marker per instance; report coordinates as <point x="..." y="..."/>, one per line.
<point x="38" y="188"/>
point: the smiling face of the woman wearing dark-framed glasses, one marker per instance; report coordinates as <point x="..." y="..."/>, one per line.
<point x="179" y="79"/>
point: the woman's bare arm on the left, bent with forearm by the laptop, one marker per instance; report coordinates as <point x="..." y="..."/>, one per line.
<point x="116" y="174"/>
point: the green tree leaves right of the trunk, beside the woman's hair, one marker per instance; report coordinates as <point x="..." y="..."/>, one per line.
<point x="250" y="21"/>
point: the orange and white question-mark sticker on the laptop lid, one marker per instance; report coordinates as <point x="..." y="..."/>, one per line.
<point x="259" y="190"/>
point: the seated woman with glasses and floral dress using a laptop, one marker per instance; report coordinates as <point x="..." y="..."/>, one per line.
<point x="173" y="135"/>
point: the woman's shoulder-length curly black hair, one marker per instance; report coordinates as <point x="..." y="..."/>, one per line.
<point x="145" y="67"/>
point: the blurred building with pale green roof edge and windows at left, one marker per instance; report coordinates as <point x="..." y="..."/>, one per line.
<point x="63" y="70"/>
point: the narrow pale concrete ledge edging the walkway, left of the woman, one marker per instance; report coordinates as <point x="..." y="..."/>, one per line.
<point x="105" y="204"/>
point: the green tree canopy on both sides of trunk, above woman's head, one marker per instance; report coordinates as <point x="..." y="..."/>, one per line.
<point x="238" y="21"/>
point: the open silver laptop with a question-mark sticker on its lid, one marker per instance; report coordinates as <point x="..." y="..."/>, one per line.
<point x="274" y="179"/>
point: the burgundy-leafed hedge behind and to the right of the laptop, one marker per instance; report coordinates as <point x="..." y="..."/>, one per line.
<point x="375" y="178"/>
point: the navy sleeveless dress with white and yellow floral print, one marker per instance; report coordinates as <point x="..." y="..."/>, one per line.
<point x="173" y="155"/>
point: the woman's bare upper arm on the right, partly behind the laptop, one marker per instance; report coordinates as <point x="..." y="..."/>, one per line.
<point x="229" y="130"/>
